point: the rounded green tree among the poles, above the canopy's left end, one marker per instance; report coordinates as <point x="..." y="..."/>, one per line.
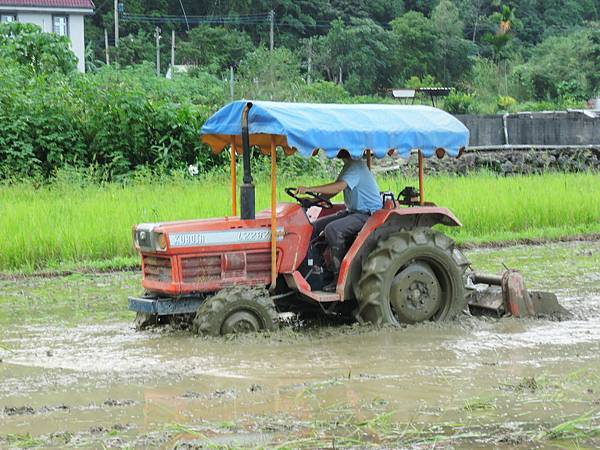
<point x="215" y="48"/>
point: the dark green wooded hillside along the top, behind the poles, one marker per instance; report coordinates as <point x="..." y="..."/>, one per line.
<point x="368" y="47"/>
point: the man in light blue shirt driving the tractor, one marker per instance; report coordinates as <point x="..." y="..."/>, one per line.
<point x="361" y="197"/>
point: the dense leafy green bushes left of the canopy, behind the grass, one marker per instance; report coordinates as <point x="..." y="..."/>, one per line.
<point x="116" y="120"/>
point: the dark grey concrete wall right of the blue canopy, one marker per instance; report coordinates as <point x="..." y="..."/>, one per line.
<point x="556" y="128"/>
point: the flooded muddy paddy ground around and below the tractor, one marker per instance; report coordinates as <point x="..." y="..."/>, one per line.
<point x="75" y="373"/>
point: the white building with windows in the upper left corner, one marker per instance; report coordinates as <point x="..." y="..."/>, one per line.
<point x="63" y="17"/>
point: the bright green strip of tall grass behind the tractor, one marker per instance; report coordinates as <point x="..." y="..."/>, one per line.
<point x="68" y="224"/>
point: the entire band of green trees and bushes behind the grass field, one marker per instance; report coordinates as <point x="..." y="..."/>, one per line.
<point x="498" y="56"/>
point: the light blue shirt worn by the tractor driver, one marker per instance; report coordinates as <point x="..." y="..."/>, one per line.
<point x="362" y="192"/>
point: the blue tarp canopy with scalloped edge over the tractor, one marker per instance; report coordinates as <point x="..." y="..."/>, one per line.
<point x="306" y="127"/>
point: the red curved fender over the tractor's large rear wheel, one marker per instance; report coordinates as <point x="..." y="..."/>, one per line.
<point x="380" y="225"/>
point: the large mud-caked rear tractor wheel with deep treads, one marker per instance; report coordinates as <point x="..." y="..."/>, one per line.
<point x="410" y="277"/>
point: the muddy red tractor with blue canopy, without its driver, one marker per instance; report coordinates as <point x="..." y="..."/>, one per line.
<point x="235" y="274"/>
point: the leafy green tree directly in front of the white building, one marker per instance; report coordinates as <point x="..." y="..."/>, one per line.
<point x="41" y="52"/>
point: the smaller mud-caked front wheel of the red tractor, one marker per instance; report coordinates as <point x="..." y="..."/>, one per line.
<point x="239" y="309"/>
